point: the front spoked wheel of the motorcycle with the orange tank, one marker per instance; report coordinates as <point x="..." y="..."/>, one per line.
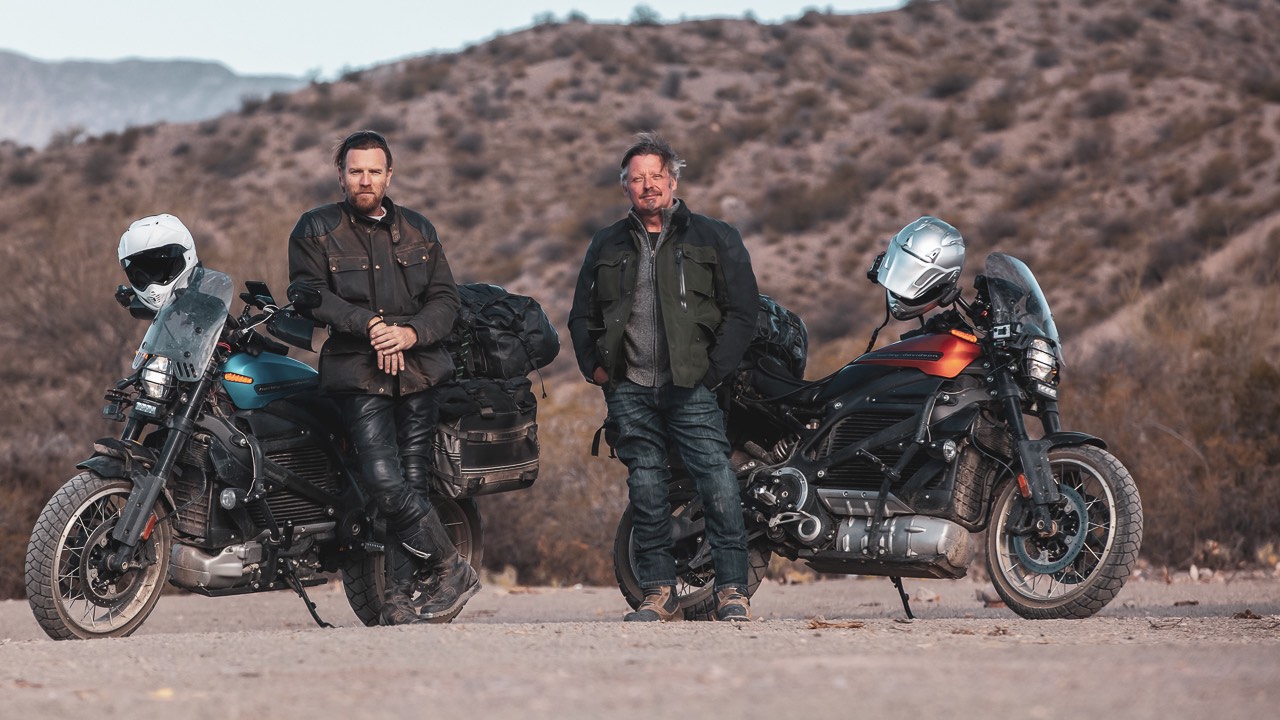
<point x="1081" y="568"/>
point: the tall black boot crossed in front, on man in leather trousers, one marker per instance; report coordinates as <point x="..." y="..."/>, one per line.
<point x="454" y="582"/>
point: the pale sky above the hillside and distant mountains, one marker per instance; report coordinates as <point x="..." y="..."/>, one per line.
<point x="322" y="38"/>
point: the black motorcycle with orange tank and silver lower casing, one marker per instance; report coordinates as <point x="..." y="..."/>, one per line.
<point x="900" y="462"/>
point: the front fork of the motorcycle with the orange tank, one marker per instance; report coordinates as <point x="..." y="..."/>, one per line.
<point x="1036" y="479"/>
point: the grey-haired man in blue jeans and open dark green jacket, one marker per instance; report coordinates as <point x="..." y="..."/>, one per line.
<point x="665" y="307"/>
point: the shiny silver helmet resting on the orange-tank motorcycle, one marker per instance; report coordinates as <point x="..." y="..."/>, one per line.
<point x="921" y="267"/>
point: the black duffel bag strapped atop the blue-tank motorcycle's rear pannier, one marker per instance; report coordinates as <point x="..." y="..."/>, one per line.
<point x="500" y="335"/>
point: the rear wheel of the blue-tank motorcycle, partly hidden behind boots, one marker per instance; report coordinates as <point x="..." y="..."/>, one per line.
<point x="365" y="577"/>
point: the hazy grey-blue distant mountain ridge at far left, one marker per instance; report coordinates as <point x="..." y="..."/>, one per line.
<point x="42" y="102"/>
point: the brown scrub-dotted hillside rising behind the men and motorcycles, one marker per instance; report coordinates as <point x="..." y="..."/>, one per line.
<point x="1126" y="151"/>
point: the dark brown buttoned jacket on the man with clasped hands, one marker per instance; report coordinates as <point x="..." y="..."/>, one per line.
<point x="394" y="267"/>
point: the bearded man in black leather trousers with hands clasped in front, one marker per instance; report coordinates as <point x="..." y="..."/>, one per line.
<point x="388" y="299"/>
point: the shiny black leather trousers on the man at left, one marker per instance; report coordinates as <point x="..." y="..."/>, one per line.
<point x="394" y="439"/>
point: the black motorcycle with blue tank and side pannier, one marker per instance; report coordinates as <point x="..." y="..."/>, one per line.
<point x="232" y="476"/>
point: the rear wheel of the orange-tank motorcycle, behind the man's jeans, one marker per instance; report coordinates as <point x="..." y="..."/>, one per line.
<point x="696" y="577"/>
